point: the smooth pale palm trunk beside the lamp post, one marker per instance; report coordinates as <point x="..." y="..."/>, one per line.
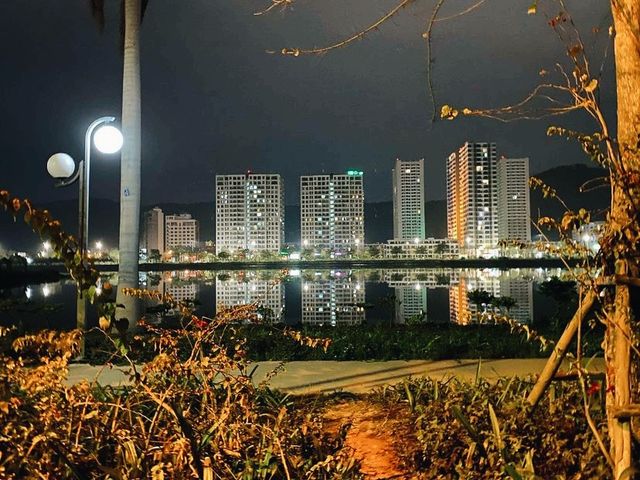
<point x="130" y="166"/>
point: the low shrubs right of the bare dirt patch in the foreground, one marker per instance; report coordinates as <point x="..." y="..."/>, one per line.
<point x="485" y="430"/>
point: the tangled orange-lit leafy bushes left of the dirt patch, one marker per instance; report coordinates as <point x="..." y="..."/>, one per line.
<point x="193" y="410"/>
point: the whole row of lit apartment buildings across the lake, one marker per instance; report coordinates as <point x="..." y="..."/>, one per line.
<point x="487" y="202"/>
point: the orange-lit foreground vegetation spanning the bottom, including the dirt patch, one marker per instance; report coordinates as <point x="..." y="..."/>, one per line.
<point x="201" y="415"/>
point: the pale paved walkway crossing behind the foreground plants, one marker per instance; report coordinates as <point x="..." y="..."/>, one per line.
<point x="356" y="377"/>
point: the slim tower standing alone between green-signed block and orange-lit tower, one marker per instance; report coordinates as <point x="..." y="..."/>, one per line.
<point x="408" y="200"/>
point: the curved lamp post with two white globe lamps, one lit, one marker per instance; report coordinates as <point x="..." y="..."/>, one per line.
<point x="107" y="139"/>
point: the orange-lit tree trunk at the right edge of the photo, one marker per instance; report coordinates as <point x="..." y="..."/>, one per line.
<point x="624" y="221"/>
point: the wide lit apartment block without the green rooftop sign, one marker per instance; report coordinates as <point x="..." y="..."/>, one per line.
<point x="249" y="212"/>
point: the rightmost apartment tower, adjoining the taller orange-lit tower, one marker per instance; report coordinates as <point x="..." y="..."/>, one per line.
<point x="513" y="199"/>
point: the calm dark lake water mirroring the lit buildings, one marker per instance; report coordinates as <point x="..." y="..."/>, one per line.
<point x="328" y="297"/>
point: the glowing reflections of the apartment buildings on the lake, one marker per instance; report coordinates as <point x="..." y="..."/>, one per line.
<point x="334" y="297"/>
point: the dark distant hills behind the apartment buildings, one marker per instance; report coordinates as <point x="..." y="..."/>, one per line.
<point x="104" y="214"/>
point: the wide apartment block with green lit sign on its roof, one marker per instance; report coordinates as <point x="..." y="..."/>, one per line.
<point x="332" y="211"/>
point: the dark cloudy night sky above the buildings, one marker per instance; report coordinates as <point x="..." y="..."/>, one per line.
<point x="214" y="102"/>
